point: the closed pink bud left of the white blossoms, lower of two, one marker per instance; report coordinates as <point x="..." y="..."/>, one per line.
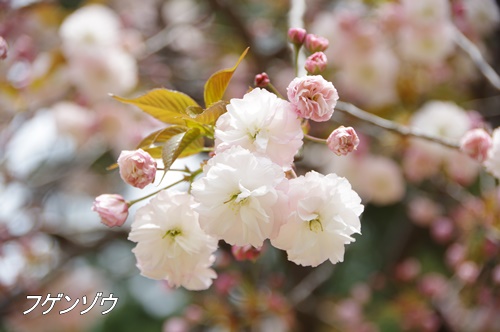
<point x="112" y="208"/>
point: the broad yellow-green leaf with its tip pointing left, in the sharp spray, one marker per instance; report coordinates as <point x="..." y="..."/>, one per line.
<point x="166" y="105"/>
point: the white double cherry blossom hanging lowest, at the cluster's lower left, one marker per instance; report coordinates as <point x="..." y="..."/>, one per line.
<point x="170" y="243"/>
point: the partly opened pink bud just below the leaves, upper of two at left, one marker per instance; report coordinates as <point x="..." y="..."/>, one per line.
<point x="137" y="168"/>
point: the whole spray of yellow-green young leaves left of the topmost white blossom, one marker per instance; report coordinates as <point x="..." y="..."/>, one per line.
<point x="188" y="122"/>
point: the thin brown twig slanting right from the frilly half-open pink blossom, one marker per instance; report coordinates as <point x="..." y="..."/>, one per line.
<point x="392" y="126"/>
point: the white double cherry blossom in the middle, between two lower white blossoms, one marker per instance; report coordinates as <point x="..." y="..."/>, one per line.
<point x="239" y="197"/>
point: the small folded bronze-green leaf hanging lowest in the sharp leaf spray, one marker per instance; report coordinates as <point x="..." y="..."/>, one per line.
<point x="185" y="143"/>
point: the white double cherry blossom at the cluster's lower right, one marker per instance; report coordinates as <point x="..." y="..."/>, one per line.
<point x="324" y="214"/>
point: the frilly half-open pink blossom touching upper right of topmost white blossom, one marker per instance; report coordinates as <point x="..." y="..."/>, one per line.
<point x="313" y="97"/>
